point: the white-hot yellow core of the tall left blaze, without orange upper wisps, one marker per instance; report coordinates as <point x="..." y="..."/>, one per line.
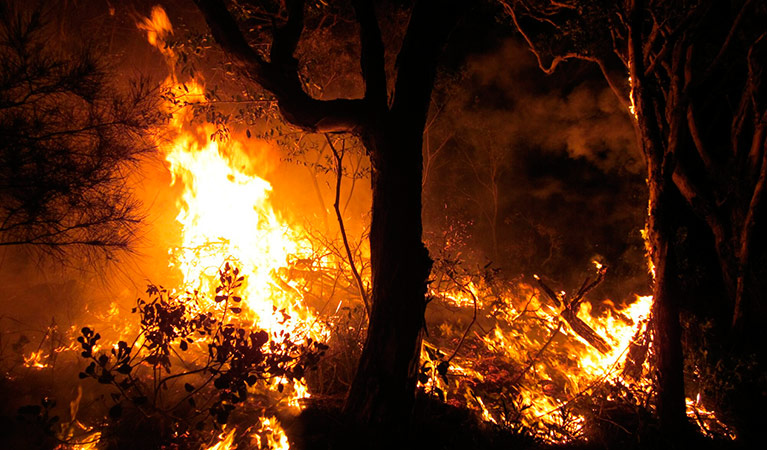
<point x="226" y="213"/>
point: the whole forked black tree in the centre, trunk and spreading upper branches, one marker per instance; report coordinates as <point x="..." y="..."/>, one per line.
<point x="390" y="122"/>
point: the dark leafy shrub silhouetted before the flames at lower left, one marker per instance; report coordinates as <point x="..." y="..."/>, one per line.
<point x="176" y="391"/>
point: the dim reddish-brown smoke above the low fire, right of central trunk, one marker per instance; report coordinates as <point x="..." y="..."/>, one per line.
<point x="542" y="171"/>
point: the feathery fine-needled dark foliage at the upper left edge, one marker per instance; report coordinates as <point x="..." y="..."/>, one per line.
<point x="68" y="140"/>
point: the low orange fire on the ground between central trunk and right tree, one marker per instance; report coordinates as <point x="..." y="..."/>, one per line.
<point x="552" y="364"/>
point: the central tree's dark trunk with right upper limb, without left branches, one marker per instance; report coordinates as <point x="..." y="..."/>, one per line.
<point x="383" y="390"/>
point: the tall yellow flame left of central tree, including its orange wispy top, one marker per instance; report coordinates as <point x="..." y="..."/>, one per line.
<point x="226" y="214"/>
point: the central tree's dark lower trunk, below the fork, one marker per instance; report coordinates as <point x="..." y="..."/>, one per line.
<point x="383" y="389"/>
